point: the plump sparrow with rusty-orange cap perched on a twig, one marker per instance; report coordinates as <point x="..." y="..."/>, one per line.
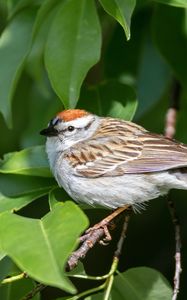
<point x="112" y="163"/>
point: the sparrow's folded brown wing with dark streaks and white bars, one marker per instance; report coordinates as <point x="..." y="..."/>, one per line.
<point x="126" y="153"/>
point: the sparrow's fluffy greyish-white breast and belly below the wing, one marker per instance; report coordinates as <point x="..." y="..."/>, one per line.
<point x="116" y="191"/>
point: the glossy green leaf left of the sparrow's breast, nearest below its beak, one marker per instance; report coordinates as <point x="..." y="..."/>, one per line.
<point x="31" y="161"/>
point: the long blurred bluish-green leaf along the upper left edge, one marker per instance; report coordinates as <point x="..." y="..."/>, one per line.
<point x="14" y="47"/>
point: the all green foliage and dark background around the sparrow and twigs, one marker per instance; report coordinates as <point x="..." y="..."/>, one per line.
<point x="114" y="57"/>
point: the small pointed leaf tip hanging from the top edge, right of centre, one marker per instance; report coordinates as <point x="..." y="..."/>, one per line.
<point x="122" y="11"/>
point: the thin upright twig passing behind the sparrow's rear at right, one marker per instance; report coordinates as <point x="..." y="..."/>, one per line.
<point x="170" y="132"/>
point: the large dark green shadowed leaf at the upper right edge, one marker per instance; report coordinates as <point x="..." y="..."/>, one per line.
<point x="172" y="35"/>
